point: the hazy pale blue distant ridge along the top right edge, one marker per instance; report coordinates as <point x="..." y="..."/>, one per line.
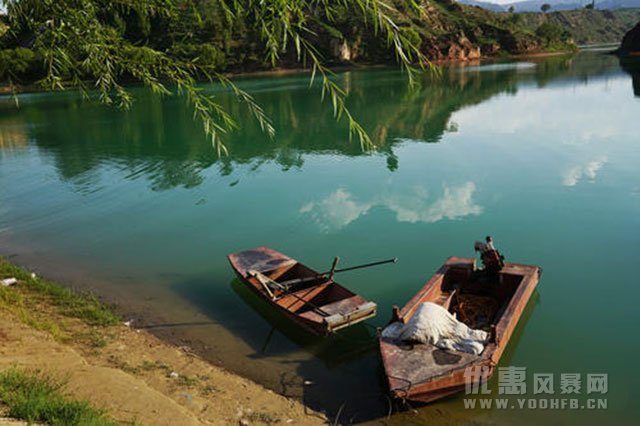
<point x="556" y="5"/>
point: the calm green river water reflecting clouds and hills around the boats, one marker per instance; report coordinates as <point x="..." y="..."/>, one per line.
<point x="542" y="154"/>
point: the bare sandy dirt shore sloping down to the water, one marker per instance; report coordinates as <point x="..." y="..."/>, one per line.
<point x="131" y="373"/>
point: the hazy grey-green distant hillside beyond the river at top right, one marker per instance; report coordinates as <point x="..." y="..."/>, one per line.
<point x="588" y="26"/>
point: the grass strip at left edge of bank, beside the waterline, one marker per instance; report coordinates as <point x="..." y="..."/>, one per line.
<point x="32" y="292"/>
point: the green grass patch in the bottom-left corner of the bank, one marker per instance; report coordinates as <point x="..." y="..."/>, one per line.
<point x="36" y="397"/>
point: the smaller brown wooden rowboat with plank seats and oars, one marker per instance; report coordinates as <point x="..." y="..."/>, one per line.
<point x="312" y="300"/>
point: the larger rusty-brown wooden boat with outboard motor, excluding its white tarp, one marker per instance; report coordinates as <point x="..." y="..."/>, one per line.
<point x="423" y="372"/>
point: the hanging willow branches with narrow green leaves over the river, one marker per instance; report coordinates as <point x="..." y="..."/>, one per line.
<point x="82" y="45"/>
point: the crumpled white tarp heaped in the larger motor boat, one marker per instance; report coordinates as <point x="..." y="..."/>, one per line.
<point x="434" y="324"/>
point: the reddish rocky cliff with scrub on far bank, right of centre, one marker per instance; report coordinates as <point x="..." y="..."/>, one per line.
<point x="443" y="30"/>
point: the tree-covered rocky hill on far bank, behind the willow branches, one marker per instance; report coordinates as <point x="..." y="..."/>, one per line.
<point x="442" y="29"/>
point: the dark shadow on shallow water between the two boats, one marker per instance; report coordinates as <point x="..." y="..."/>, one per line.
<point x="350" y="387"/>
